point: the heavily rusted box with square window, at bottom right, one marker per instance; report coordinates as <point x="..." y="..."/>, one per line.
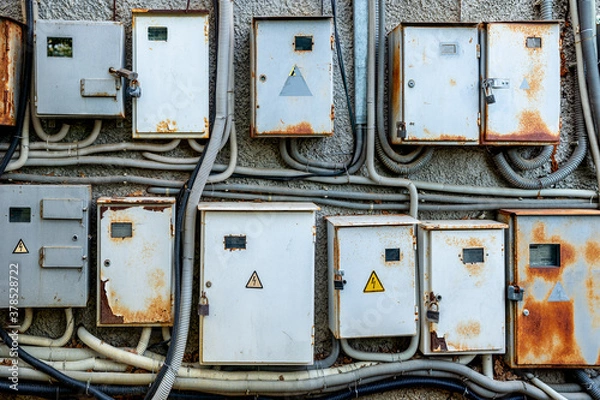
<point x="553" y="286"/>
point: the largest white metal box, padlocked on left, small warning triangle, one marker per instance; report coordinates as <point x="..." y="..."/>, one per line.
<point x="256" y="301"/>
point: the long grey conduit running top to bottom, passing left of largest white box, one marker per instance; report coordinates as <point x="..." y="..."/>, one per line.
<point x="224" y="63"/>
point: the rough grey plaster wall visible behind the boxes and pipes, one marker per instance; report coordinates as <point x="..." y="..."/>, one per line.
<point x="452" y="165"/>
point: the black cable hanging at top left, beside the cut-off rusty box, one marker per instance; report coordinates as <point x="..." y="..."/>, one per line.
<point x="26" y="83"/>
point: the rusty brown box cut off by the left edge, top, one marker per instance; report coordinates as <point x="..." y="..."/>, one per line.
<point x="11" y="64"/>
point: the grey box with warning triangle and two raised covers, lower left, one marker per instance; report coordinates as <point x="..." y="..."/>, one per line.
<point x="44" y="248"/>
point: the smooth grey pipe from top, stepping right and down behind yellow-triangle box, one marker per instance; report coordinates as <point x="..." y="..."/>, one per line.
<point x="373" y="175"/>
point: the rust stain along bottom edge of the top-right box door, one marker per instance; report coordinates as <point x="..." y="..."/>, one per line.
<point x="532" y="128"/>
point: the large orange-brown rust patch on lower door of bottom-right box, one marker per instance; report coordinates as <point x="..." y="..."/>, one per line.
<point x="547" y="334"/>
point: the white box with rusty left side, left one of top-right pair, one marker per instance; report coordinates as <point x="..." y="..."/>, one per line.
<point x="434" y="73"/>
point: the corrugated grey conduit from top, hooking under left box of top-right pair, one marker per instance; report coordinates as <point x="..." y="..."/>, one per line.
<point x="398" y="163"/>
